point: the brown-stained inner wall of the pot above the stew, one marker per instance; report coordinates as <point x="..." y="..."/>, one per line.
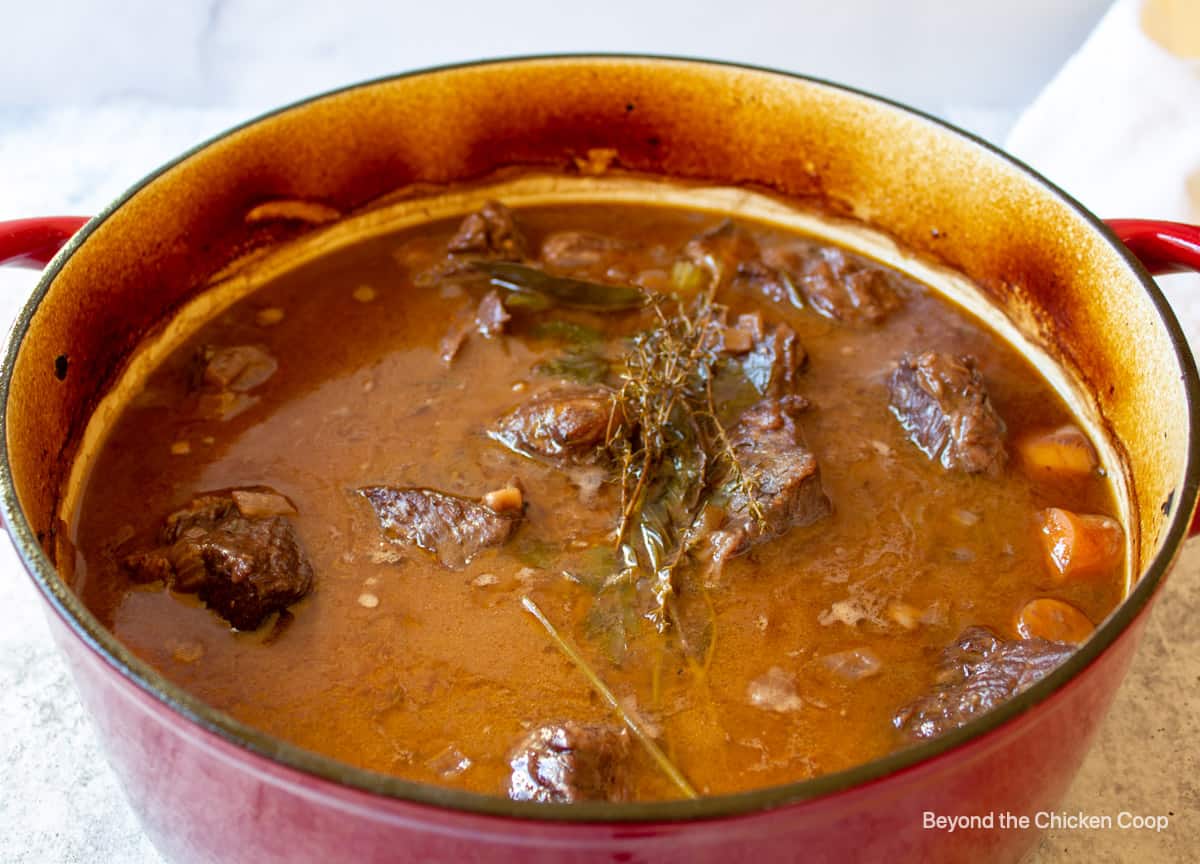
<point x="939" y="194"/>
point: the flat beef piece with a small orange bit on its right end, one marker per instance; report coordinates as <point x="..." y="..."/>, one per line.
<point x="455" y="530"/>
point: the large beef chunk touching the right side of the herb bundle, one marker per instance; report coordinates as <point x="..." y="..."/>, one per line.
<point x="788" y="481"/>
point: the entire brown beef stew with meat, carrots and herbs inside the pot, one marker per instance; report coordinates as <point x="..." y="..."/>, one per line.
<point x="599" y="503"/>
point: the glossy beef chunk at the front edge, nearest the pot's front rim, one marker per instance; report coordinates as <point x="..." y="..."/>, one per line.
<point x="571" y="763"/>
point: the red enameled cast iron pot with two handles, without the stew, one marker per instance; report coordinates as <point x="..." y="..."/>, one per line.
<point x="209" y="789"/>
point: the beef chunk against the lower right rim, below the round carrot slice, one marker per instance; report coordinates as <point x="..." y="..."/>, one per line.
<point x="977" y="674"/>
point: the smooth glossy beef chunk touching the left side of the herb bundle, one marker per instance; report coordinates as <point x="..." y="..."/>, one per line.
<point x="563" y="427"/>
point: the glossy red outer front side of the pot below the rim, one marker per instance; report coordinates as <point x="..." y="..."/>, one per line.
<point x="202" y="800"/>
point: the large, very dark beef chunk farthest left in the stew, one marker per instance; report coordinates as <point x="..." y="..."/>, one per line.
<point x="242" y="563"/>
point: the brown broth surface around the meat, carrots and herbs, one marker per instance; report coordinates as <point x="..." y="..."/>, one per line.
<point x="442" y="668"/>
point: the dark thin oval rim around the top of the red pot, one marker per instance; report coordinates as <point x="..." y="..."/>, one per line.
<point x="86" y="627"/>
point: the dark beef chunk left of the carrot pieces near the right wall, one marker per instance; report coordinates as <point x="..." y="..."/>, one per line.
<point x="944" y="406"/>
